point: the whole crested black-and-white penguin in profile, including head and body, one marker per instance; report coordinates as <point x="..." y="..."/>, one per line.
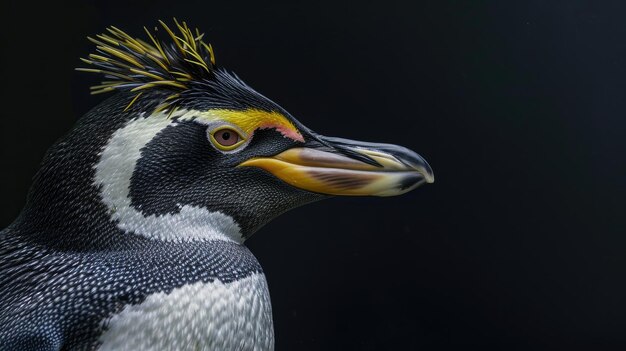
<point x="132" y="236"/>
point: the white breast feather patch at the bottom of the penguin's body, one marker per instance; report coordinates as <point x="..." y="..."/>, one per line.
<point x="213" y="316"/>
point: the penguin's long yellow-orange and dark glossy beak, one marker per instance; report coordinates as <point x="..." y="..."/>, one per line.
<point x="335" y="166"/>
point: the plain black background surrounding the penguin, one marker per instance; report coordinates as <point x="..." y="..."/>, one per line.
<point x="520" y="109"/>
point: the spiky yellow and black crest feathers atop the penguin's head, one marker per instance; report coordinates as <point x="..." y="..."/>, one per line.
<point x="135" y="65"/>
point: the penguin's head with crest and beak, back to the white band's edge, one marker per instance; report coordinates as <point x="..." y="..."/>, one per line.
<point x="195" y="153"/>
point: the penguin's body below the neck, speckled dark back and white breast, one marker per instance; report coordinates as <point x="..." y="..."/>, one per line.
<point x="209" y="296"/>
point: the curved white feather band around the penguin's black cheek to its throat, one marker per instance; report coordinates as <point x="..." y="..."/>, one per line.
<point x="113" y="173"/>
